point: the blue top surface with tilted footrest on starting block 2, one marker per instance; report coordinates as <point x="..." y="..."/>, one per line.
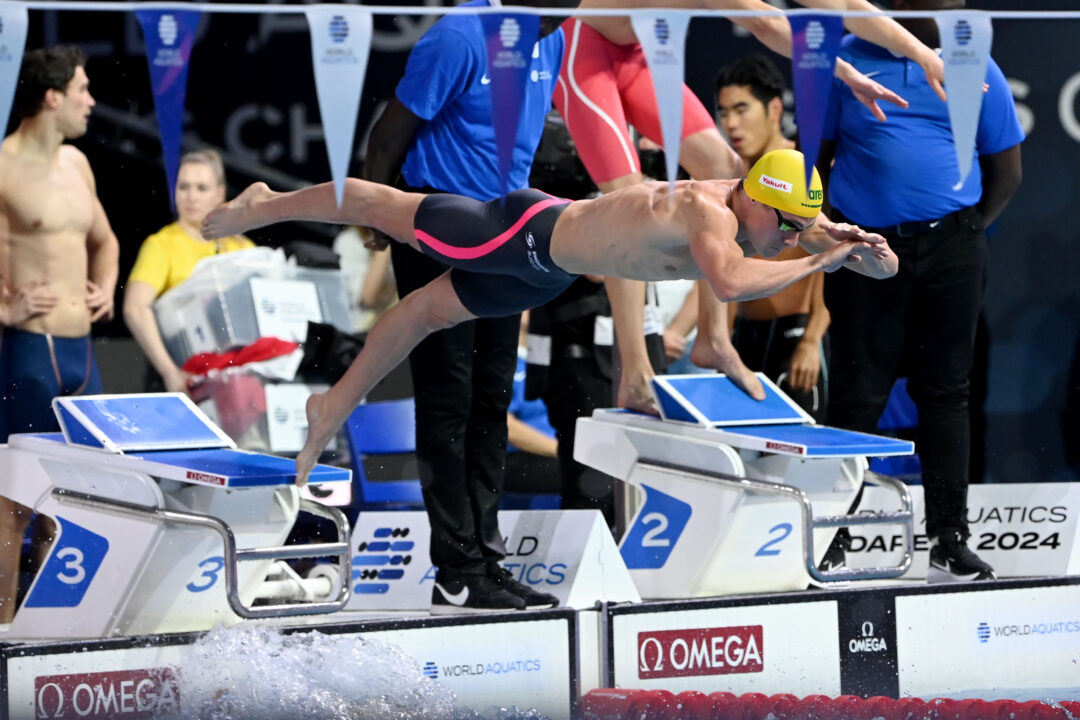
<point x="776" y="425"/>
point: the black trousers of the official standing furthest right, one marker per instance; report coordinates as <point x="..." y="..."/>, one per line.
<point x="926" y="318"/>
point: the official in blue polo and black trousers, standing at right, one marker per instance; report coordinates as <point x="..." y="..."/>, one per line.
<point x="897" y="179"/>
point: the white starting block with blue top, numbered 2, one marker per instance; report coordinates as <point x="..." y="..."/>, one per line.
<point x="738" y="496"/>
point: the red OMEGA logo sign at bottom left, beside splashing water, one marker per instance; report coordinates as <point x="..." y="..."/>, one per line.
<point x="128" y="695"/>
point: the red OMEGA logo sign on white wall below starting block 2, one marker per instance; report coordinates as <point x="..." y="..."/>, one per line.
<point x="701" y="651"/>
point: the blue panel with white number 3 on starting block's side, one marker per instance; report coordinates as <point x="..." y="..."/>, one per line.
<point x="76" y="559"/>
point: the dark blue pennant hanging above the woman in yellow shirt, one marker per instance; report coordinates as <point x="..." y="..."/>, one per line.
<point x="169" y="36"/>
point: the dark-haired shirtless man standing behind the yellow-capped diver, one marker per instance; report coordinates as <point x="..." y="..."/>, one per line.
<point x="784" y="335"/>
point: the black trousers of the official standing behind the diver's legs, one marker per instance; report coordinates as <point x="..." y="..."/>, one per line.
<point x="463" y="381"/>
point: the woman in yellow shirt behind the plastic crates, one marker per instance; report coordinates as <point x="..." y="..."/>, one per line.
<point x="170" y="255"/>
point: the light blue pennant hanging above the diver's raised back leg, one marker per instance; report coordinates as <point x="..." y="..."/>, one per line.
<point x="341" y="44"/>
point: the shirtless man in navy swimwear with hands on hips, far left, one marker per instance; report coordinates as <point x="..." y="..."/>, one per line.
<point x="59" y="262"/>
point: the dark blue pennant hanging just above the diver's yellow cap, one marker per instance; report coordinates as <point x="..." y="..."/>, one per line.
<point x="816" y="42"/>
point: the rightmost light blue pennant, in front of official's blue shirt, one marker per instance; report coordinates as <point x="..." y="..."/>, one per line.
<point x="966" y="40"/>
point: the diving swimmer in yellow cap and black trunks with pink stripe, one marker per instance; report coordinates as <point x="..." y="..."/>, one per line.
<point x="523" y="250"/>
